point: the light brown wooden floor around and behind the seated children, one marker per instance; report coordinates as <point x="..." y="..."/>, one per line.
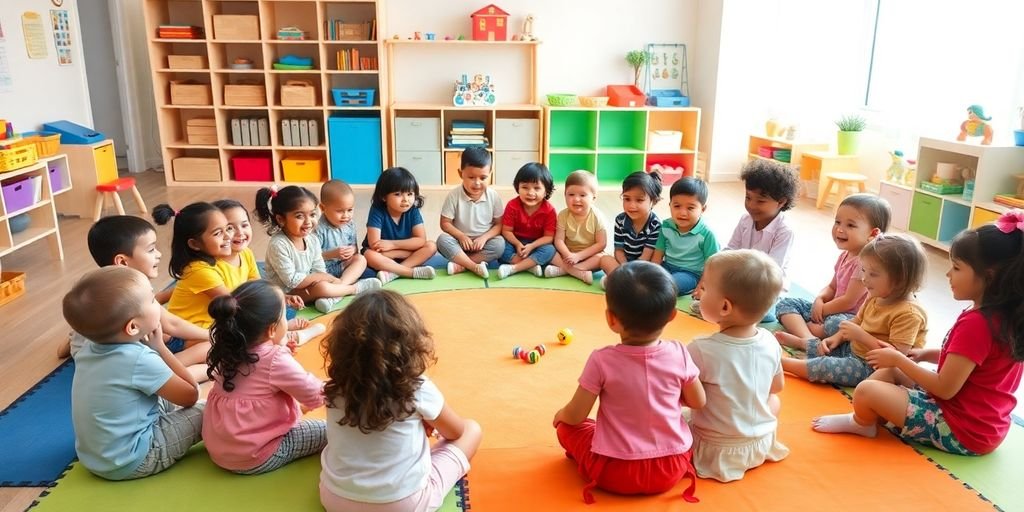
<point x="32" y="327"/>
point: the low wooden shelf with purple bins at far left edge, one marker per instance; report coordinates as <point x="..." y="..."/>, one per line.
<point x="50" y="173"/>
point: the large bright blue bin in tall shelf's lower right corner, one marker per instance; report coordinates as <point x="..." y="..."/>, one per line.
<point x="356" y="149"/>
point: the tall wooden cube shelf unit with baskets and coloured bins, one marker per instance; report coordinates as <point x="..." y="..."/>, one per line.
<point x="259" y="42"/>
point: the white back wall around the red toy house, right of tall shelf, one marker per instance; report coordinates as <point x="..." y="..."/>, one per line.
<point x="584" y="45"/>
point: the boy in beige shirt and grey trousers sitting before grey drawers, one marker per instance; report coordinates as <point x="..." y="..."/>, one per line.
<point x="472" y="219"/>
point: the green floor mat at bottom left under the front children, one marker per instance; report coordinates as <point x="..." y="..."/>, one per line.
<point x="196" y="484"/>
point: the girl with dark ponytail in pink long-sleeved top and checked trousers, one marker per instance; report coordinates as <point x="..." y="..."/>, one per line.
<point x="253" y="422"/>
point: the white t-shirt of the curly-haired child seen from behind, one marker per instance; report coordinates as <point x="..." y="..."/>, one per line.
<point x="386" y="466"/>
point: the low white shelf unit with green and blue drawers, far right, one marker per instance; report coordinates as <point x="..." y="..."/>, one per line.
<point x="936" y="219"/>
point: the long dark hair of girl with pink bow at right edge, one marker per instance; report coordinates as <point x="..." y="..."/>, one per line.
<point x="996" y="252"/>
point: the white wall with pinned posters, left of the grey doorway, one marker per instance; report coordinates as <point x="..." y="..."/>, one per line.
<point x="44" y="92"/>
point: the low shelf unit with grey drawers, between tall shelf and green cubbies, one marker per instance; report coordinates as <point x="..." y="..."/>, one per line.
<point x="514" y="134"/>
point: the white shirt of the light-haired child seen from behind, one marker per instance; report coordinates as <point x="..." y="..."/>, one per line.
<point x="737" y="374"/>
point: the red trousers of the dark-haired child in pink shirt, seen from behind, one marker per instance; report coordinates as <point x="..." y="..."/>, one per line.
<point x="645" y="477"/>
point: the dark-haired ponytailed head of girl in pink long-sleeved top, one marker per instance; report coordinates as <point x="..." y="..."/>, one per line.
<point x="241" y="321"/>
